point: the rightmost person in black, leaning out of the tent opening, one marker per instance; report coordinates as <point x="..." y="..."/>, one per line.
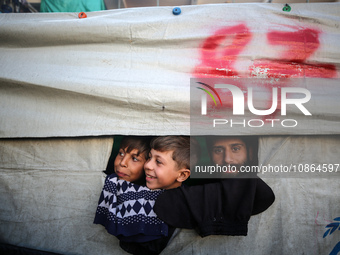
<point x="223" y="206"/>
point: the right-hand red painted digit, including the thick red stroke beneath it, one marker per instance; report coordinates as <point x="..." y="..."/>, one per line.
<point x="293" y="62"/>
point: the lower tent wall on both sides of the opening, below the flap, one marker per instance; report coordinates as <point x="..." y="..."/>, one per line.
<point x="50" y="204"/>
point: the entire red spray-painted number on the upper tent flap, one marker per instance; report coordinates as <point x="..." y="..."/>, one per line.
<point x="220" y="52"/>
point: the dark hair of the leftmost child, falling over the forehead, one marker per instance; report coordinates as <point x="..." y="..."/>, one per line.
<point x="141" y="143"/>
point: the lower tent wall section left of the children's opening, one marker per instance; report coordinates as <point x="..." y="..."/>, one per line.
<point x="49" y="190"/>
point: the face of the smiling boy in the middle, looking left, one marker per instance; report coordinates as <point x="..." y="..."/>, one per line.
<point x="161" y="170"/>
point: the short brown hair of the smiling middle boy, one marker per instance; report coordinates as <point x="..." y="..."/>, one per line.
<point x="180" y="145"/>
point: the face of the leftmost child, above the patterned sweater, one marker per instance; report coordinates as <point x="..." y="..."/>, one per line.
<point x="129" y="166"/>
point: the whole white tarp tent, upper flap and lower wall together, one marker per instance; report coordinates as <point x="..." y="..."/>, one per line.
<point x="69" y="84"/>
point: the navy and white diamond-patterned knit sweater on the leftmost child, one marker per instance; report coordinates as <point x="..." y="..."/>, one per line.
<point x="126" y="211"/>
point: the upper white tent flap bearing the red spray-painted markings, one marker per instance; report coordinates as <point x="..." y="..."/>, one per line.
<point x="128" y="71"/>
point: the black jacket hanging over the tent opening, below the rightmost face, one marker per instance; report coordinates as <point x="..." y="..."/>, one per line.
<point x="219" y="208"/>
